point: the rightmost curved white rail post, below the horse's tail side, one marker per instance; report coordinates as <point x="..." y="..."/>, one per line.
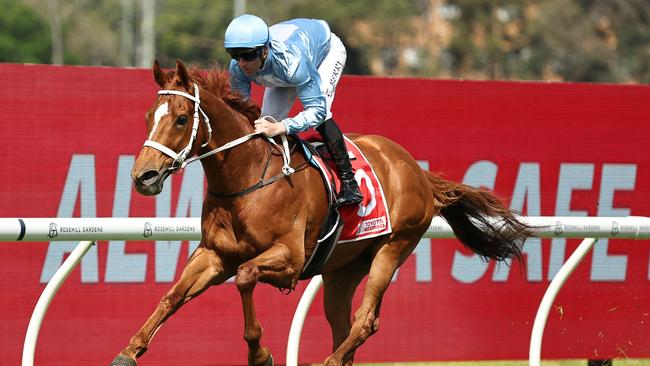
<point x="535" y="352"/>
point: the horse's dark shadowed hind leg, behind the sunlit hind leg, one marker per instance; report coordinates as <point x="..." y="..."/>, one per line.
<point x="338" y="291"/>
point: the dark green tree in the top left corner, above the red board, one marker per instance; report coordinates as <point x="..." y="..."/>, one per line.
<point x="24" y="36"/>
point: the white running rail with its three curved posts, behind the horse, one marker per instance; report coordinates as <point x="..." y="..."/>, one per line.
<point x="89" y="230"/>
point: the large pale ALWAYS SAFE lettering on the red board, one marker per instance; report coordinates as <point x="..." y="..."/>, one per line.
<point x="124" y="266"/>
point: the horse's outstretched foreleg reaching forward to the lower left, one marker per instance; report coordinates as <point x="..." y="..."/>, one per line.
<point x="203" y="269"/>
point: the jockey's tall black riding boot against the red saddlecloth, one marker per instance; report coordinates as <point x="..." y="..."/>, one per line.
<point x="333" y="137"/>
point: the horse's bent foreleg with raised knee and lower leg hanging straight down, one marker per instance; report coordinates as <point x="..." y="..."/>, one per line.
<point x="272" y="266"/>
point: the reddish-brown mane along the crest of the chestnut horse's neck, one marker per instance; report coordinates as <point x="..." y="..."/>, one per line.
<point x="217" y="82"/>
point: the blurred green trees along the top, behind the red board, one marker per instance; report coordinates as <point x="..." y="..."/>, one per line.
<point x="572" y="40"/>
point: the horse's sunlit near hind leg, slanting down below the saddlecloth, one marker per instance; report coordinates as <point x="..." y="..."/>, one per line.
<point x="366" y="318"/>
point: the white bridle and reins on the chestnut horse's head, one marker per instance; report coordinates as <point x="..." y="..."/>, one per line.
<point x="180" y="158"/>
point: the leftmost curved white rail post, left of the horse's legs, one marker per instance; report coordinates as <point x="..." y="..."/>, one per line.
<point x="44" y="301"/>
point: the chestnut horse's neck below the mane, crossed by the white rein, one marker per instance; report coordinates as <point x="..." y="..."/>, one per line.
<point x="239" y="167"/>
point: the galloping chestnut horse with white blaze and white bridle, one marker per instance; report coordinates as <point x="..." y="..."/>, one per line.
<point x="237" y="239"/>
